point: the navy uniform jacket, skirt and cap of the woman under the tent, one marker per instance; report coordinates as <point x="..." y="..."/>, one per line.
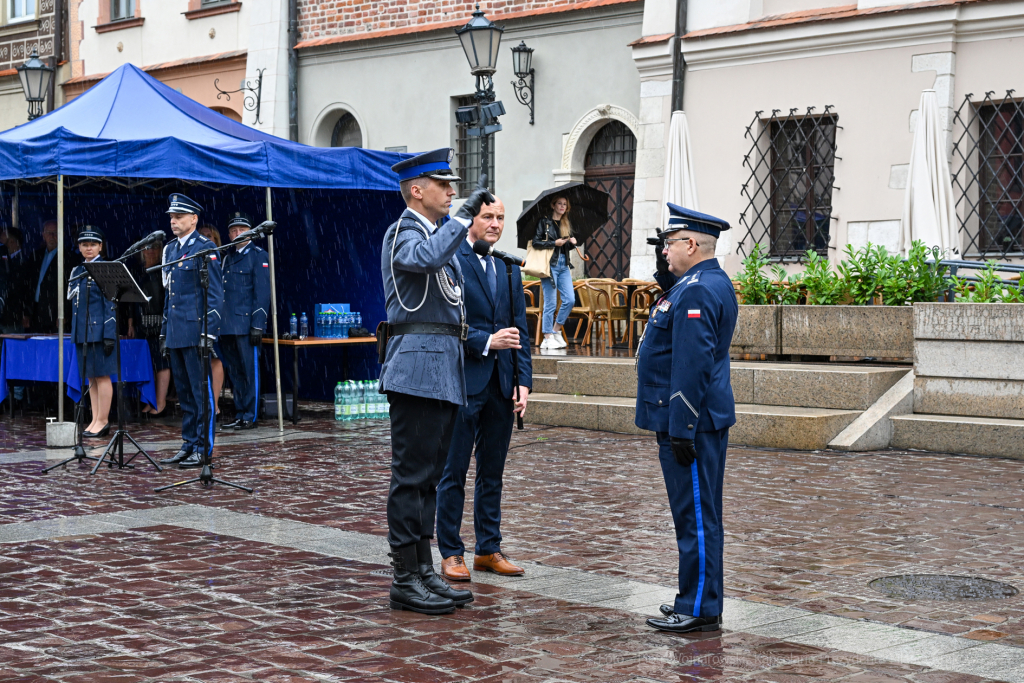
<point x="93" y="320"/>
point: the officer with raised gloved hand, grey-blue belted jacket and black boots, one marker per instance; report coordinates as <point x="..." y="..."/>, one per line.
<point x="423" y="367"/>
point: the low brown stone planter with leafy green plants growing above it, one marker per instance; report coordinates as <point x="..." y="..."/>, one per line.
<point x="881" y="332"/>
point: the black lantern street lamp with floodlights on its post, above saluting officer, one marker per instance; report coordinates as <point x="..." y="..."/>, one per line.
<point x="481" y="39"/>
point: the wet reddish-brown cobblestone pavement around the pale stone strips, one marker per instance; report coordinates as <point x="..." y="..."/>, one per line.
<point x="804" y="530"/>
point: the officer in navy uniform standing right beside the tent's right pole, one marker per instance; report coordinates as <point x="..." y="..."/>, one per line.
<point x="247" y="298"/>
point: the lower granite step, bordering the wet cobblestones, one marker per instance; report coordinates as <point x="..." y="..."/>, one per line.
<point x="781" y="428"/>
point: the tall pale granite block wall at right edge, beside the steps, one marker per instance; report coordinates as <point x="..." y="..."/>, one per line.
<point x="969" y="360"/>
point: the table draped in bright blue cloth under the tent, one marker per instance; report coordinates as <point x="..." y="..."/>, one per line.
<point x="35" y="360"/>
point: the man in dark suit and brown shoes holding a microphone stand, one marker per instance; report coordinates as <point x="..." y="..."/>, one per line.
<point x="486" y="421"/>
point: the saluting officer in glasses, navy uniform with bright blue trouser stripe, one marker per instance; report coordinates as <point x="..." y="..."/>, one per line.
<point x="685" y="396"/>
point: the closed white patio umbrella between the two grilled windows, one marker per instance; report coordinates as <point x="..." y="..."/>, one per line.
<point x="929" y="208"/>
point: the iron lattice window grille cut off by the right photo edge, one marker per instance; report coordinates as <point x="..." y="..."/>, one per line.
<point x="989" y="176"/>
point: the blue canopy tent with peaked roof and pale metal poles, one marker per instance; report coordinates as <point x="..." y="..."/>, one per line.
<point x="132" y="131"/>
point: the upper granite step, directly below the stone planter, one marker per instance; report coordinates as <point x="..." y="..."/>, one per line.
<point x="800" y="386"/>
